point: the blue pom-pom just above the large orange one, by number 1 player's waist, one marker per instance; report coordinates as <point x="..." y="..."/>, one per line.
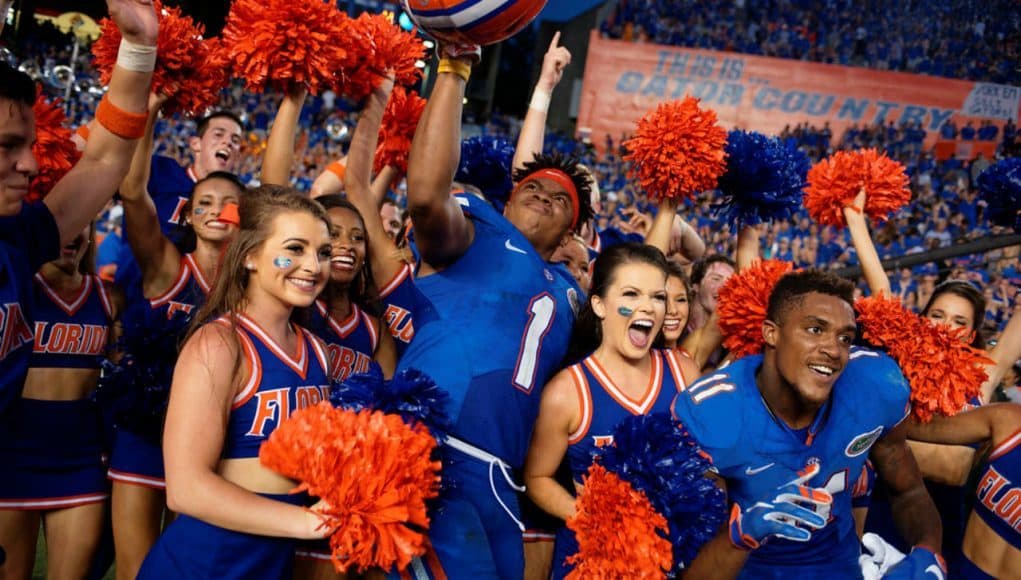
<point x="411" y="395"/>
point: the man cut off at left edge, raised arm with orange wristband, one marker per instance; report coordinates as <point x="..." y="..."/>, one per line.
<point x="33" y="234"/>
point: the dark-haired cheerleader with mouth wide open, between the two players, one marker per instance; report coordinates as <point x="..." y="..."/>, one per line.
<point x="624" y="375"/>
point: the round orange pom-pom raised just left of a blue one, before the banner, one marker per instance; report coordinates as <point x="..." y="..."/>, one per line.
<point x="677" y="151"/>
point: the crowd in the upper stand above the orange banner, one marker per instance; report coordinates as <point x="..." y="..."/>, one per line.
<point x="960" y="39"/>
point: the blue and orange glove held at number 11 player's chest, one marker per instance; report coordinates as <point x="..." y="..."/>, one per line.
<point x="785" y="516"/>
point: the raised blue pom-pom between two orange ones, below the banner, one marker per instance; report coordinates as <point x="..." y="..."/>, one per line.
<point x="764" y="179"/>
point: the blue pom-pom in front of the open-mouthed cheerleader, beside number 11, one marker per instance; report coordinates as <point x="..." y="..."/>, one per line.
<point x="656" y="456"/>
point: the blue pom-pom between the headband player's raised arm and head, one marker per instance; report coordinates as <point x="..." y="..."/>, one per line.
<point x="487" y="164"/>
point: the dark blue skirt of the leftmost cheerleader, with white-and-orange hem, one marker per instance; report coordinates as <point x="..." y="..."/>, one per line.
<point x="53" y="456"/>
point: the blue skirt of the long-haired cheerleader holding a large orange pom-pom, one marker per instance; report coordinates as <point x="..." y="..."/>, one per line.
<point x="193" y="549"/>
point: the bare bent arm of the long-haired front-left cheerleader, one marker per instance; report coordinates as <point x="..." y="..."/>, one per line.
<point x="205" y="386"/>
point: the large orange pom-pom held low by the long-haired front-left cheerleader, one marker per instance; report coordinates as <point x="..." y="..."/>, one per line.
<point x="375" y="472"/>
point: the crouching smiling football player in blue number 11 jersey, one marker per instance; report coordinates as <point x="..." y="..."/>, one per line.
<point x="810" y="409"/>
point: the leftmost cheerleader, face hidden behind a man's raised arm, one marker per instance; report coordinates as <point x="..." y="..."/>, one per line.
<point x="53" y="444"/>
